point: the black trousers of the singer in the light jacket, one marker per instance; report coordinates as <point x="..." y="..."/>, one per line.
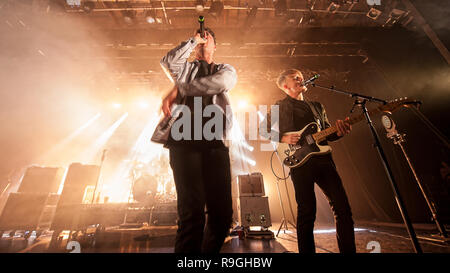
<point x="202" y="179"/>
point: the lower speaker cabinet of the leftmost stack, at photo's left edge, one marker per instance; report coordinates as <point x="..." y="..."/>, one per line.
<point x="23" y="211"/>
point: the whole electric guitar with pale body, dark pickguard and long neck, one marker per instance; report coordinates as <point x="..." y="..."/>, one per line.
<point x="295" y="155"/>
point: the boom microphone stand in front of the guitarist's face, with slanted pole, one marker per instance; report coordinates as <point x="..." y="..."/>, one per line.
<point x="360" y="100"/>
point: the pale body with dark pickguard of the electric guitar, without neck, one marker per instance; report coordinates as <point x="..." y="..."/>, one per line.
<point x="295" y="155"/>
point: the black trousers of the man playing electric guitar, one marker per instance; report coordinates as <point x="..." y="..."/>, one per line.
<point x="321" y="170"/>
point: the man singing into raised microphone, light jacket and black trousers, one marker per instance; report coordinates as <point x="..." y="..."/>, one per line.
<point x="201" y="167"/>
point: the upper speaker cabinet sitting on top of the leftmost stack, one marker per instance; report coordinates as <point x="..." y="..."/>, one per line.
<point x="41" y="180"/>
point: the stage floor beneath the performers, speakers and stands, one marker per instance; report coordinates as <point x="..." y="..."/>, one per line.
<point x="370" y="236"/>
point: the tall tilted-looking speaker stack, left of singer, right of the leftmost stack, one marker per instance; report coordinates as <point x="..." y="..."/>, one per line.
<point x="68" y="212"/>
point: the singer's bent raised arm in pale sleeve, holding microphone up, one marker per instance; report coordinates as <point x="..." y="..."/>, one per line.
<point x="175" y="61"/>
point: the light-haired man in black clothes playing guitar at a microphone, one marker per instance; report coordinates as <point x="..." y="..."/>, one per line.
<point x="294" y="114"/>
